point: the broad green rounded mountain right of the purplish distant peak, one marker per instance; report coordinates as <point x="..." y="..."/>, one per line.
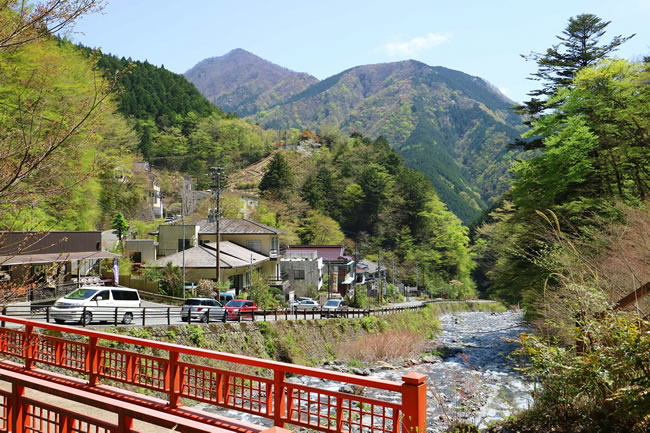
<point x="451" y="126"/>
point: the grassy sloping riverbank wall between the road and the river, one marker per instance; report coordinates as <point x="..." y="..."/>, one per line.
<point x="306" y="342"/>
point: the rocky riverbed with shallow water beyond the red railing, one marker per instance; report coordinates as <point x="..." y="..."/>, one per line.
<point x="470" y="377"/>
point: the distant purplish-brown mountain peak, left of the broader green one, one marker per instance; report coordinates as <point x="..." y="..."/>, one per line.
<point x="243" y="83"/>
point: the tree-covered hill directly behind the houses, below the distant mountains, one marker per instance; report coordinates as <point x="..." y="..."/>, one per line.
<point x="361" y="188"/>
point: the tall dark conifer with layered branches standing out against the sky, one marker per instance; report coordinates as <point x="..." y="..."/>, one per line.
<point x="579" y="48"/>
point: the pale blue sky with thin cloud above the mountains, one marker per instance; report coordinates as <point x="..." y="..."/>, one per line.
<point x="483" y="38"/>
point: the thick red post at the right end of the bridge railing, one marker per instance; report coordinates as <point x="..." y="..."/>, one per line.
<point x="414" y="403"/>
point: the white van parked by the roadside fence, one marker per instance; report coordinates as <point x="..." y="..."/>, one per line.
<point x="90" y="303"/>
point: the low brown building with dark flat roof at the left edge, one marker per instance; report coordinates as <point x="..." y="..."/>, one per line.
<point x="47" y="262"/>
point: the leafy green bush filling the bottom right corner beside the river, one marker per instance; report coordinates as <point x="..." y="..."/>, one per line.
<point x="605" y="388"/>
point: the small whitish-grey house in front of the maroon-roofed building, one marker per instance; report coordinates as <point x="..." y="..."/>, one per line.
<point x="304" y="270"/>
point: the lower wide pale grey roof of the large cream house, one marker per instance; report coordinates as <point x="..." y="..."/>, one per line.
<point x="204" y="256"/>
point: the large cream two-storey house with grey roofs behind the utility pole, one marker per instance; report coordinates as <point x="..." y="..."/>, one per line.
<point x="244" y="244"/>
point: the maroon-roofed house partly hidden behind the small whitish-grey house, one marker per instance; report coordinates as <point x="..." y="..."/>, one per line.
<point x="340" y="268"/>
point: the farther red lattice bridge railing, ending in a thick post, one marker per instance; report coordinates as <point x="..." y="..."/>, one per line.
<point x="183" y="372"/>
